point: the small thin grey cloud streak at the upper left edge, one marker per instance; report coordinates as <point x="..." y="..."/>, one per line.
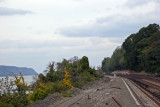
<point x="10" y="11"/>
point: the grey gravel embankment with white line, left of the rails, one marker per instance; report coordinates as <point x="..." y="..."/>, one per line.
<point x="109" y="92"/>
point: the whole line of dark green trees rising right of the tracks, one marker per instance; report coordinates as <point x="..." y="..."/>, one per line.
<point x="139" y="52"/>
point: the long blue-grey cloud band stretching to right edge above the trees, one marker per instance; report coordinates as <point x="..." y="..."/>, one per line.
<point x="112" y="26"/>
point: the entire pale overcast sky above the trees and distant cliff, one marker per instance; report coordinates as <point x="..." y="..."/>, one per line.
<point x="35" y="32"/>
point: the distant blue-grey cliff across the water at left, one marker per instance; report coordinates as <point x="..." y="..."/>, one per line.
<point x="13" y="70"/>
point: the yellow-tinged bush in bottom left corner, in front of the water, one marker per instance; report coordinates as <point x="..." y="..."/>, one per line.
<point x="16" y="98"/>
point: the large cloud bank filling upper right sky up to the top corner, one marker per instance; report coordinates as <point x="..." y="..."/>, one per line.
<point x="130" y="17"/>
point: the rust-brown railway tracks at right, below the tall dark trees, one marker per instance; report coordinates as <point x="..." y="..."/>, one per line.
<point x="149" y="85"/>
